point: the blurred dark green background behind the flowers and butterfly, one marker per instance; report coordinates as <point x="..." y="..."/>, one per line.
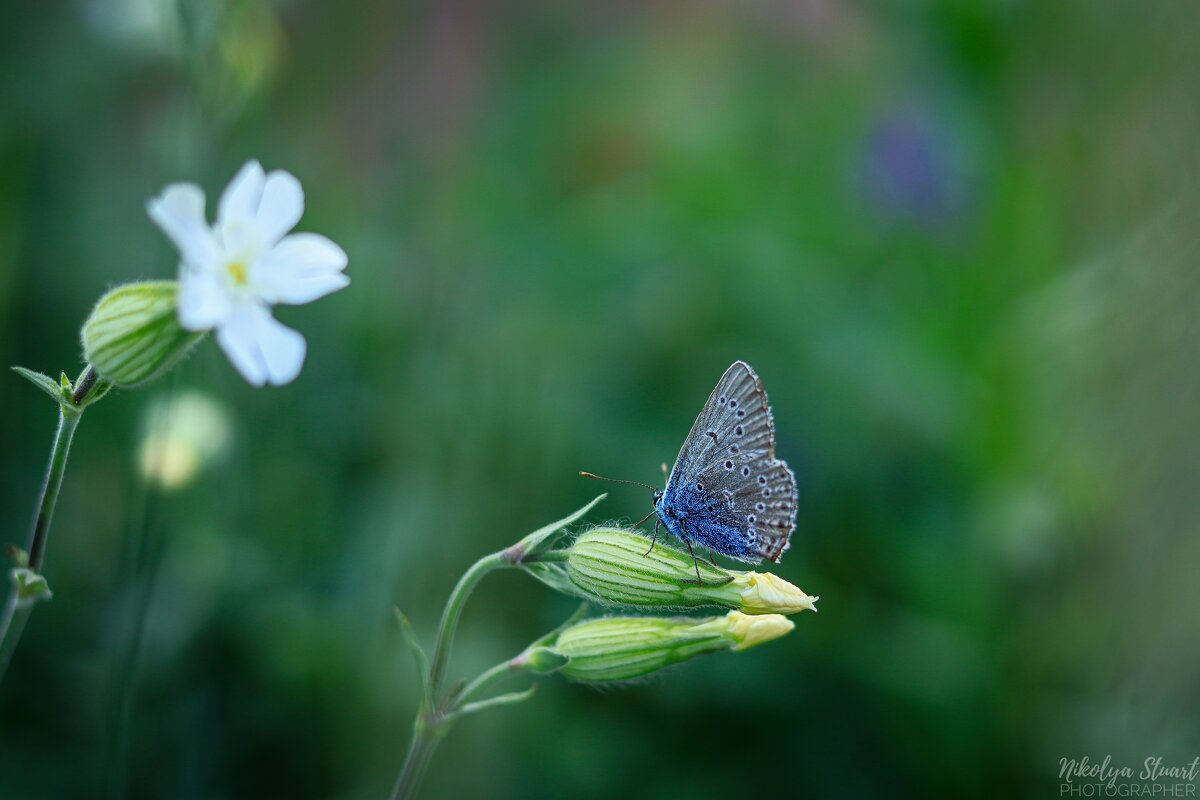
<point x="958" y="242"/>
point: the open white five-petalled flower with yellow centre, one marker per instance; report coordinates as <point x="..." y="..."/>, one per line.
<point x="232" y="273"/>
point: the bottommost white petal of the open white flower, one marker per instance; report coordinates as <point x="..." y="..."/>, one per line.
<point x="262" y="348"/>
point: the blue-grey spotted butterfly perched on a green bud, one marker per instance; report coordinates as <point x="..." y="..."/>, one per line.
<point x="728" y="492"/>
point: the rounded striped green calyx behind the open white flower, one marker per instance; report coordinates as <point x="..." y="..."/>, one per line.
<point x="134" y="334"/>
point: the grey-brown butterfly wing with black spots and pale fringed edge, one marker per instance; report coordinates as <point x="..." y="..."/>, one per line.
<point x="730" y="454"/>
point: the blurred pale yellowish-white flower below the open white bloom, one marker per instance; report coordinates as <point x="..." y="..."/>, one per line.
<point x="183" y="435"/>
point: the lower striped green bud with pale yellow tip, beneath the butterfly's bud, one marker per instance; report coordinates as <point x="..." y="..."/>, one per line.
<point x="623" y="648"/>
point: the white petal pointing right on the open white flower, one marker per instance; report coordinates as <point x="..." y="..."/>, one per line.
<point x="301" y="269"/>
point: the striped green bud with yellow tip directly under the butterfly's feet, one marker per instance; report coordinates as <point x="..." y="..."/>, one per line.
<point x="614" y="567"/>
